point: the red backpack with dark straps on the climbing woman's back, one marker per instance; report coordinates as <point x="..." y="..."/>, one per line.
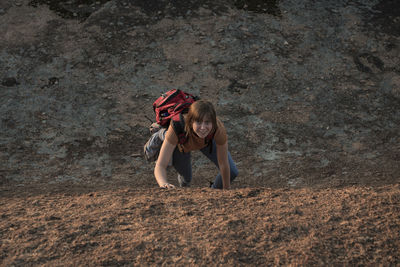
<point x="170" y="106"/>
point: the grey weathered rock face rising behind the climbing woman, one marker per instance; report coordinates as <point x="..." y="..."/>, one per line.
<point x="308" y="91"/>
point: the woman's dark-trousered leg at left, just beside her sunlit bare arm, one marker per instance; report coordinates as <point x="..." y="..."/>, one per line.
<point x="183" y="165"/>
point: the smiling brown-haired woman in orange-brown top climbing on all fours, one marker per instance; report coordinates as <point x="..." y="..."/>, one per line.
<point x="200" y="123"/>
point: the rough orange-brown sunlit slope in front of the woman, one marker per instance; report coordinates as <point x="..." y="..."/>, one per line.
<point x="254" y="226"/>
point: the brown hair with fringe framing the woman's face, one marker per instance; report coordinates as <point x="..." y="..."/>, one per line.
<point x="199" y="111"/>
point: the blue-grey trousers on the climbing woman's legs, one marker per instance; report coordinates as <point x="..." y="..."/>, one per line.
<point x="183" y="165"/>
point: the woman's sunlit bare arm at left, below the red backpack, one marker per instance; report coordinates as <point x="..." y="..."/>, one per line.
<point x="160" y="171"/>
